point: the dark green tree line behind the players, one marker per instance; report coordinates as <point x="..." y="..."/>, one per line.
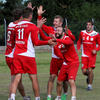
<point x="77" y="12"/>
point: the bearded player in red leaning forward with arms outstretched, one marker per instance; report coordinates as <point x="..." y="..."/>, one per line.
<point x="68" y="71"/>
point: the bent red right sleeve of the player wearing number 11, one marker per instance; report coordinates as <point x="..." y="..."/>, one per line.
<point x="34" y="37"/>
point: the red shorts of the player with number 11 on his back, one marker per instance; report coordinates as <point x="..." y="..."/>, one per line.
<point x="24" y="64"/>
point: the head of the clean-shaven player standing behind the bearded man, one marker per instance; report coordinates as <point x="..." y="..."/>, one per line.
<point x="58" y="21"/>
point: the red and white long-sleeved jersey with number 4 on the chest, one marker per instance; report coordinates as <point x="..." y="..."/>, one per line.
<point x="89" y="42"/>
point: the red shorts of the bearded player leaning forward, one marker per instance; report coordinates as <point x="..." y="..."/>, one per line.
<point x="68" y="71"/>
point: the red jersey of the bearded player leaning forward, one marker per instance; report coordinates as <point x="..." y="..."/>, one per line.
<point x="66" y="46"/>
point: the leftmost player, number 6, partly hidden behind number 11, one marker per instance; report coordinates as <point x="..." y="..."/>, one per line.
<point x="9" y="52"/>
